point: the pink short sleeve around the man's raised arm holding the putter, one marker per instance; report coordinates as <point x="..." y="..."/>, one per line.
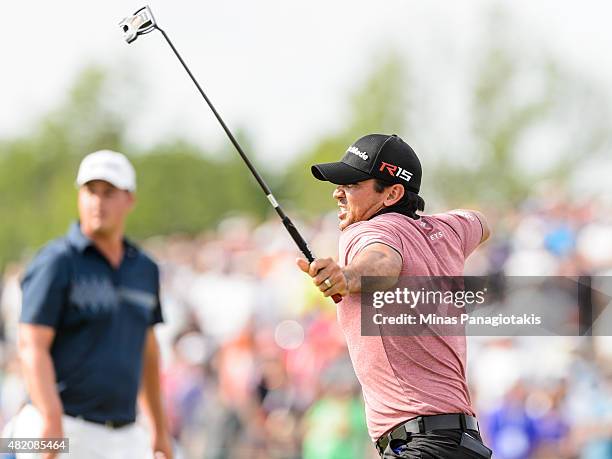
<point x="358" y="237"/>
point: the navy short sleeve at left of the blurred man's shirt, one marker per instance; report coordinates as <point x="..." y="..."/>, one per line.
<point x="45" y="288"/>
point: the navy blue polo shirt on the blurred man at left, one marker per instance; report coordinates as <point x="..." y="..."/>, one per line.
<point x="100" y="315"/>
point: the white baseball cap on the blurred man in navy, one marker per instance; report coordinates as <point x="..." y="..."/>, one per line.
<point x="110" y="166"/>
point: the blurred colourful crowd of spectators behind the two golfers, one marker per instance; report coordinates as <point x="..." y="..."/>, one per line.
<point x="255" y="366"/>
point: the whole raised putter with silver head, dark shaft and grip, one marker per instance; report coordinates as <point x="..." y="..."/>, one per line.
<point x="143" y="22"/>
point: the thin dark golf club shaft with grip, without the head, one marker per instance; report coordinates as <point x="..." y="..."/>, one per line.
<point x="294" y="233"/>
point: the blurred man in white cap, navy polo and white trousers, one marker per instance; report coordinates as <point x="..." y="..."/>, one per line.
<point x="86" y="340"/>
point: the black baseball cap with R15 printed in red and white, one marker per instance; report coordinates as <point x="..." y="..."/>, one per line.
<point x="381" y="156"/>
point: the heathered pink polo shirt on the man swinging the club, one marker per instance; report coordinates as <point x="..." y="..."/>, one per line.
<point x="407" y="376"/>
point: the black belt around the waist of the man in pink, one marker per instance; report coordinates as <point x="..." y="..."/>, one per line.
<point x="424" y="424"/>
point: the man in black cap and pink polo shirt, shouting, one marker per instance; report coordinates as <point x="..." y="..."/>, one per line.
<point x="415" y="390"/>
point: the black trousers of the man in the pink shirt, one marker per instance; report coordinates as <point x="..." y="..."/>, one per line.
<point x="439" y="444"/>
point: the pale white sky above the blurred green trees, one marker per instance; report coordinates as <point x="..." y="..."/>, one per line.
<point x="281" y="70"/>
